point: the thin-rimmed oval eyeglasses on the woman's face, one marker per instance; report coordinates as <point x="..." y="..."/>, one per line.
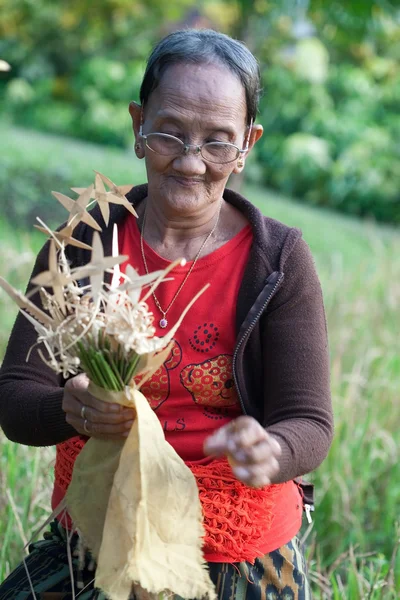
<point x="215" y="152"/>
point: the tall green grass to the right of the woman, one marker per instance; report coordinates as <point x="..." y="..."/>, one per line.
<point x="358" y="487"/>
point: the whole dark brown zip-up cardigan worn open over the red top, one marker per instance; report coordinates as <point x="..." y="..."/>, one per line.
<point x="281" y="362"/>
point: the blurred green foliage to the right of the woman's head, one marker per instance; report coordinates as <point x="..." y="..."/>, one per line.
<point x="332" y="89"/>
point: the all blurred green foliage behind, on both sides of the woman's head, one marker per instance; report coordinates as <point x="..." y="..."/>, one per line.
<point x="330" y="70"/>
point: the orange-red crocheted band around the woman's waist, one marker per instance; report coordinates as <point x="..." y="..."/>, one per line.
<point x="237" y="518"/>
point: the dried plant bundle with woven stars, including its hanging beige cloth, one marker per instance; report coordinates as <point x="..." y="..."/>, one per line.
<point x="106" y="330"/>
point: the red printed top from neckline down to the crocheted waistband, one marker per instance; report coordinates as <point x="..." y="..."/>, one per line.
<point x="193" y="393"/>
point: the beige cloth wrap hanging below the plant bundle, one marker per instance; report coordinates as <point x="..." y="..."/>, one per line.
<point x="137" y="507"/>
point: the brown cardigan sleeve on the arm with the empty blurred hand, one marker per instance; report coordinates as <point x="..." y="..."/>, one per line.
<point x="298" y="410"/>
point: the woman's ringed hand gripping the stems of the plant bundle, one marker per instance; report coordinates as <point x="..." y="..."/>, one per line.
<point x="92" y="417"/>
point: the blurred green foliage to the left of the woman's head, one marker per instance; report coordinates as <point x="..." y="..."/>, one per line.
<point x="77" y="63"/>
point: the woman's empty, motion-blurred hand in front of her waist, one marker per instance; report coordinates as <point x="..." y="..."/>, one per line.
<point x="252" y="452"/>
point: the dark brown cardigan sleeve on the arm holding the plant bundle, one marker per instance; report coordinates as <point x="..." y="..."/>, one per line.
<point x="30" y="392"/>
